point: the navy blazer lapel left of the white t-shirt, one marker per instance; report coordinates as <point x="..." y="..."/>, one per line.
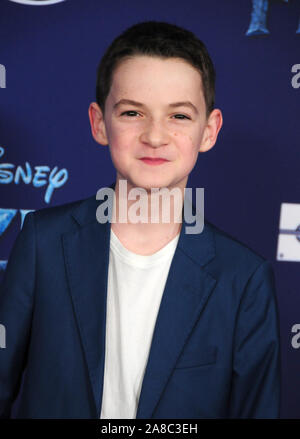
<point x="86" y="253"/>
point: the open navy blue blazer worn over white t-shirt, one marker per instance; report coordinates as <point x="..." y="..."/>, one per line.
<point x="215" y="351"/>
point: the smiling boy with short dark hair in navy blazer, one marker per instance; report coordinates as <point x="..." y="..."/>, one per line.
<point x="141" y="320"/>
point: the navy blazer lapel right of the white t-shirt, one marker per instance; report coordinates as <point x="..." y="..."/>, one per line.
<point x="187" y="290"/>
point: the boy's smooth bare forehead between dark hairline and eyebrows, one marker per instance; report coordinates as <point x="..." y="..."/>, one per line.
<point x="144" y="75"/>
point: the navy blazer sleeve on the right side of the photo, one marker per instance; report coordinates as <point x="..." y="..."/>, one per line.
<point x="256" y="380"/>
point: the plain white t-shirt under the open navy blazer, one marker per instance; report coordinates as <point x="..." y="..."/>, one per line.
<point x="135" y="288"/>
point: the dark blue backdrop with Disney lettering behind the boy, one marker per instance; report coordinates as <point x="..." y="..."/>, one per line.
<point x="49" y="53"/>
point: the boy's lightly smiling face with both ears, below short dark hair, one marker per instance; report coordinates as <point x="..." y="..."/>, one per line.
<point x="153" y="127"/>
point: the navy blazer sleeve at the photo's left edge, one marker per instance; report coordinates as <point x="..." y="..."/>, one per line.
<point x="16" y="304"/>
